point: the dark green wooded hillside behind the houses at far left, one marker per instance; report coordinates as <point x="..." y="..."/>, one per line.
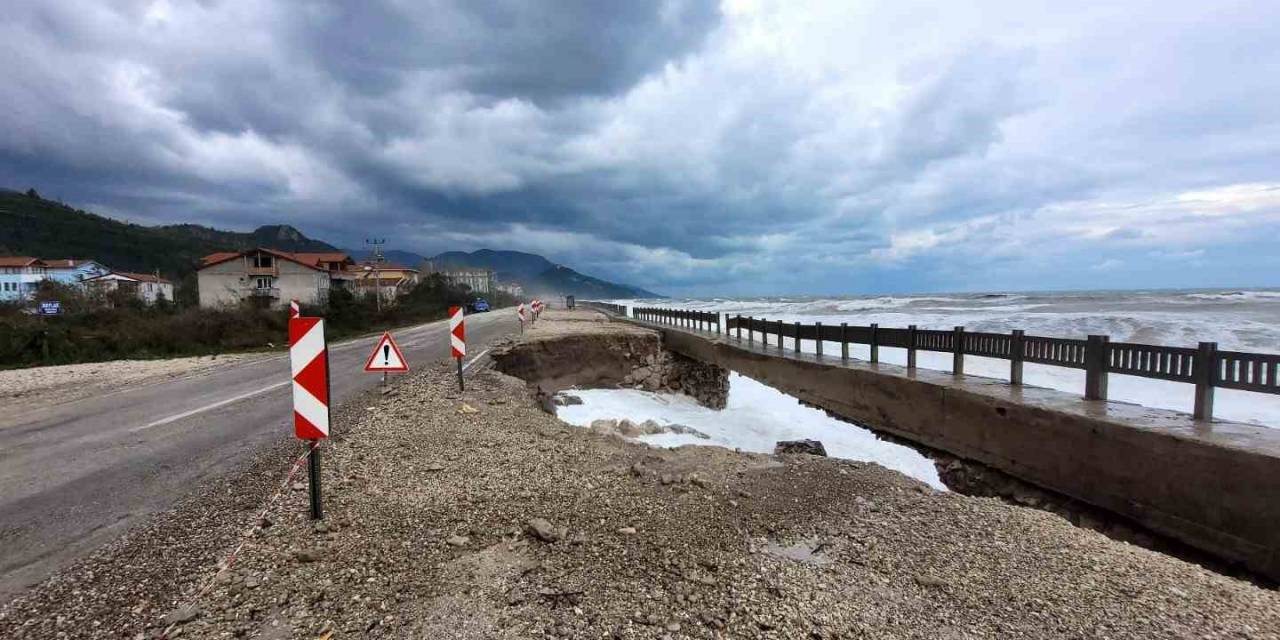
<point x="44" y="228"/>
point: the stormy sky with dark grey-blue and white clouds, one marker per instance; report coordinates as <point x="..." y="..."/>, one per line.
<point x="692" y="148"/>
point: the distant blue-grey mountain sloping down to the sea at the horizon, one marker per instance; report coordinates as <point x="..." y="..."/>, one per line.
<point x="542" y="277"/>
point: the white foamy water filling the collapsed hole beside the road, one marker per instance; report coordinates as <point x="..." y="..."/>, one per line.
<point x="756" y="419"/>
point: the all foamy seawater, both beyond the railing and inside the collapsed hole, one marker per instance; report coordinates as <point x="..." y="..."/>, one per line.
<point x="758" y="415"/>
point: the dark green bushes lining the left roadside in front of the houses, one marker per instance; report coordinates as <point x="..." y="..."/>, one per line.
<point x="115" y="327"/>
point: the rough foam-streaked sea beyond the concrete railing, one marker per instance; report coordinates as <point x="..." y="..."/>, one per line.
<point x="1238" y="321"/>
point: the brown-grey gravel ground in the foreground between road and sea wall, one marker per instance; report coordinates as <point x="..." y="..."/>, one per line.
<point x="481" y="516"/>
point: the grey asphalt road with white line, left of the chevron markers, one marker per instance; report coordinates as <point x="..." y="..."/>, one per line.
<point x="76" y="476"/>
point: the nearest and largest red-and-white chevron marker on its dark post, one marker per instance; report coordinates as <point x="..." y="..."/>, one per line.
<point x="309" y="364"/>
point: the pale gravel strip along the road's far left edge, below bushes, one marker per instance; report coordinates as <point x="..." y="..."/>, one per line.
<point x="63" y="383"/>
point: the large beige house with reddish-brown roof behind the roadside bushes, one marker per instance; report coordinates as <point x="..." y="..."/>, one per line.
<point x="271" y="278"/>
